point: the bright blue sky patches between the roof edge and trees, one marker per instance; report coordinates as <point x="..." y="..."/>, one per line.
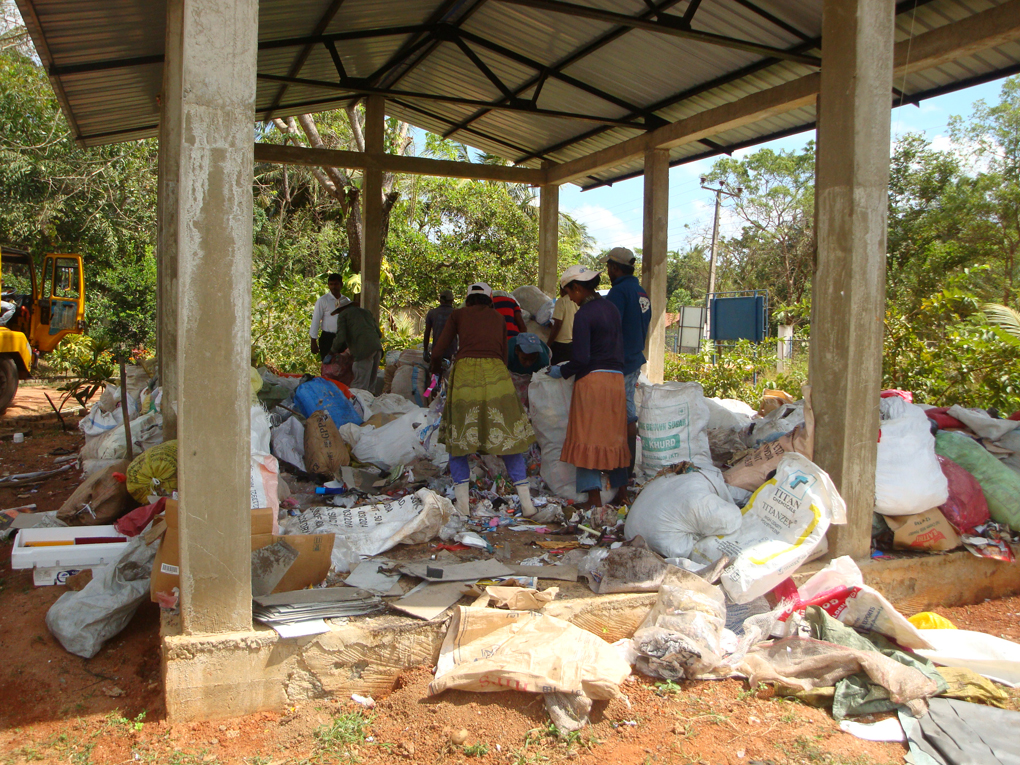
<point x="614" y="215"/>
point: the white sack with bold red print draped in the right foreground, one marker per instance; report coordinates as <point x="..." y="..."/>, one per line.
<point x="840" y="591"/>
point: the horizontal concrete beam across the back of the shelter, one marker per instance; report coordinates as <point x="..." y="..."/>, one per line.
<point x="356" y="161"/>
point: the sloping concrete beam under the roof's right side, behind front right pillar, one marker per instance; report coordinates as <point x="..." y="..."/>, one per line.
<point x="973" y="35"/>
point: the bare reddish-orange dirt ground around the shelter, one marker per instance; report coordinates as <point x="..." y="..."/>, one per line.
<point x="58" y="708"/>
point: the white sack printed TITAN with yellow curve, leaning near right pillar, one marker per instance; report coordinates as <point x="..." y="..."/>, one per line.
<point x="784" y="523"/>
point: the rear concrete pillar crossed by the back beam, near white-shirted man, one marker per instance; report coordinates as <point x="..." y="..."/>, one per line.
<point x="372" y="199"/>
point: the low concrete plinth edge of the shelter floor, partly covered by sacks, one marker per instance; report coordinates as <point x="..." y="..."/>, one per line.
<point x="209" y="677"/>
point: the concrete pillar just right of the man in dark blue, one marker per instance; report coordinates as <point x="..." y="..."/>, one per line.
<point x="653" y="263"/>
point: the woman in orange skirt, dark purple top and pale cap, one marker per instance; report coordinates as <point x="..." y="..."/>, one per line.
<point x="597" y="430"/>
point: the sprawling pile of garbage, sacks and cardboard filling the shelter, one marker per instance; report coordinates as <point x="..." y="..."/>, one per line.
<point x="352" y="515"/>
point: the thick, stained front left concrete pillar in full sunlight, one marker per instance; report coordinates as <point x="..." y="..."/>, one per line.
<point x="214" y="120"/>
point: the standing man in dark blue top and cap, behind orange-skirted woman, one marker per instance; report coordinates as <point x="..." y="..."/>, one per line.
<point x="636" y="314"/>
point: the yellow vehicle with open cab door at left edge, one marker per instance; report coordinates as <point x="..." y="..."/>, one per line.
<point x="35" y="317"/>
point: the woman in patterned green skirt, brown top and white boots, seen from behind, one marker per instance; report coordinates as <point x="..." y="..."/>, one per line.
<point x="483" y="414"/>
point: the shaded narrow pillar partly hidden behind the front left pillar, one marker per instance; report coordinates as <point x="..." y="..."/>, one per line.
<point x="167" y="223"/>
